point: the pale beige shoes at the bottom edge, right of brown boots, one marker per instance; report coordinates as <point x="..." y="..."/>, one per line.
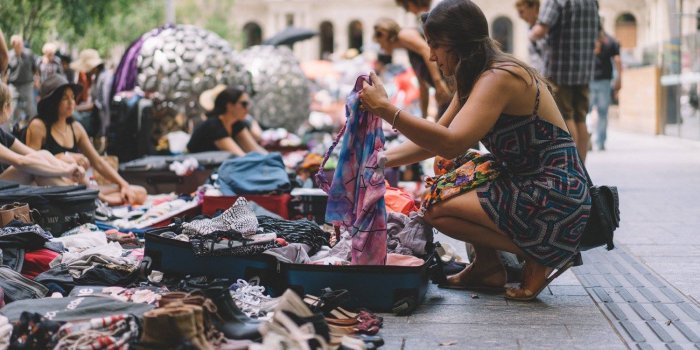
<point x="294" y="326"/>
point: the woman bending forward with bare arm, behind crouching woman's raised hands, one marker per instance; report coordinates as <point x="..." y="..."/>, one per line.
<point x="389" y="35"/>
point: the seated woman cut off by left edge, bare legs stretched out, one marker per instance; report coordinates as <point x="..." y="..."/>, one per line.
<point x="23" y="165"/>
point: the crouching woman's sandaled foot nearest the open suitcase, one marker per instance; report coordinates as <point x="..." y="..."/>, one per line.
<point x="479" y="277"/>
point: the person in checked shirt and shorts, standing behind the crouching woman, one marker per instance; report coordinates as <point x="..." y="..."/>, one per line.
<point x="571" y="30"/>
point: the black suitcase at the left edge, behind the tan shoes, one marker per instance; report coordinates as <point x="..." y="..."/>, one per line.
<point x="60" y="208"/>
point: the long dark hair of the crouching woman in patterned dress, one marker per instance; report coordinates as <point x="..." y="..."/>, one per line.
<point x="461" y="27"/>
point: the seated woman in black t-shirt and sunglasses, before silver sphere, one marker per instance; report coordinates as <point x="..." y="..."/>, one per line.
<point x="225" y="128"/>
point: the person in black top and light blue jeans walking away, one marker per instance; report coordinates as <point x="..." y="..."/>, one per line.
<point x="607" y="55"/>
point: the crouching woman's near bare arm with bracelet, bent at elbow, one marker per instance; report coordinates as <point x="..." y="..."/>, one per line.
<point x="491" y="93"/>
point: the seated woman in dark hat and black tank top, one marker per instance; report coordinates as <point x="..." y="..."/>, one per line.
<point x="55" y="131"/>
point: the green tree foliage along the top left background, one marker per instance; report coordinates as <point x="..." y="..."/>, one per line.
<point x="105" y="24"/>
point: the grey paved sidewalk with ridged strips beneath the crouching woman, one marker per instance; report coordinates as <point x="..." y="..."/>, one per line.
<point x="659" y="184"/>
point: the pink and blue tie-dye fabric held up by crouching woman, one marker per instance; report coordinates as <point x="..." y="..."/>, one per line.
<point x="356" y="194"/>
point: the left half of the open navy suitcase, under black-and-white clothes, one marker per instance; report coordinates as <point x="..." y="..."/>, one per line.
<point x="176" y="257"/>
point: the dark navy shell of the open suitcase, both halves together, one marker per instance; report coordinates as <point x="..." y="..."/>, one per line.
<point x="397" y="289"/>
